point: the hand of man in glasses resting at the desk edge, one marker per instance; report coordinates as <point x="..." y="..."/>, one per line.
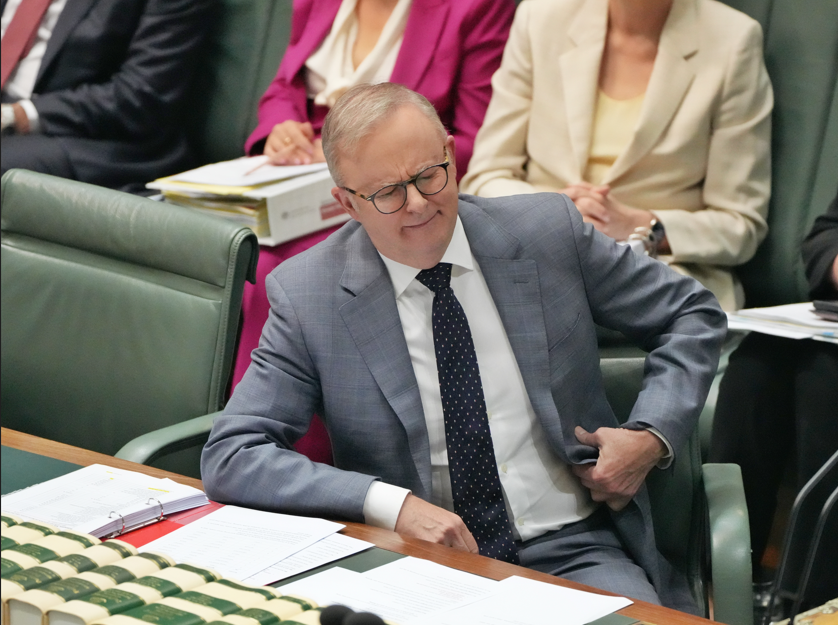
<point x="420" y="519"/>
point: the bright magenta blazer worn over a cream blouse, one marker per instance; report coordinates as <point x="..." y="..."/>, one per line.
<point x="449" y="52"/>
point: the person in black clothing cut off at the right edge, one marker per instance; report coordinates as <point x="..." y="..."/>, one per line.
<point x="779" y="396"/>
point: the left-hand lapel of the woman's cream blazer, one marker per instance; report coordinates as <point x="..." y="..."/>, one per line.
<point x="580" y="75"/>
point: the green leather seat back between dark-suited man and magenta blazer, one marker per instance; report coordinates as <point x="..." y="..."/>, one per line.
<point x="240" y="59"/>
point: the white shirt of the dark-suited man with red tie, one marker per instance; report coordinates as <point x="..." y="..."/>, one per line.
<point x="22" y="80"/>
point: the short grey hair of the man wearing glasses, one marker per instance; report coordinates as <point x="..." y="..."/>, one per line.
<point x="358" y="111"/>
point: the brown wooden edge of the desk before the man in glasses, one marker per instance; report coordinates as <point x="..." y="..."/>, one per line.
<point x="487" y="567"/>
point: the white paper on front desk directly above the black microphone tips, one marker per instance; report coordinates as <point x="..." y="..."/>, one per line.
<point x="401" y="591"/>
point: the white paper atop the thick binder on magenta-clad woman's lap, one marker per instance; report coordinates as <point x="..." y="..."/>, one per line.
<point x="243" y="172"/>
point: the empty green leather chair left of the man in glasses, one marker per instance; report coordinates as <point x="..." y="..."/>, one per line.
<point x="119" y="316"/>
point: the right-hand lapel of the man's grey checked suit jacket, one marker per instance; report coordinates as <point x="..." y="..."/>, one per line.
<point x="515" y="288"/>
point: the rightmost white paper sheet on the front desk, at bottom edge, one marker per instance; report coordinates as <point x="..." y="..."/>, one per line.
<point x="520" y="601"/>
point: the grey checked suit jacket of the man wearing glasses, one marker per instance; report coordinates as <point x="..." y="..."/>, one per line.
<point x="334" y="345"/>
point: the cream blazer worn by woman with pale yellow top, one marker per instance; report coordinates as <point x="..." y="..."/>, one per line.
<point x="700" y="154"/>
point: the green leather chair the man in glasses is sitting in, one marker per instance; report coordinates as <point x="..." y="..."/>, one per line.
<point x="699" y="511"/>
